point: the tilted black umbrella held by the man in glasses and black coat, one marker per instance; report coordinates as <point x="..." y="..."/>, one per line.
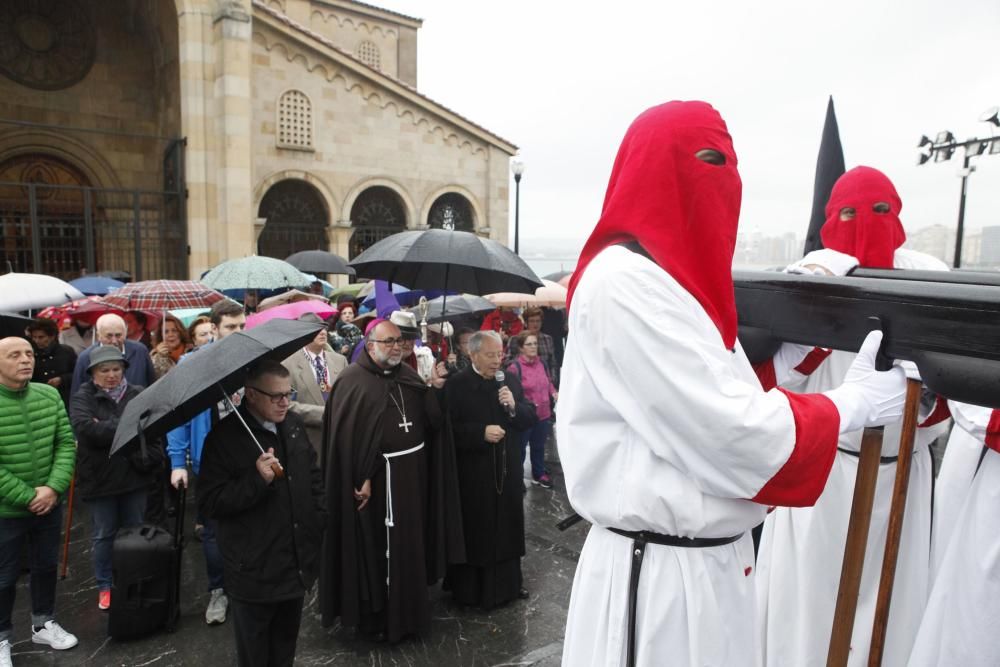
<point x="216" y="372"/>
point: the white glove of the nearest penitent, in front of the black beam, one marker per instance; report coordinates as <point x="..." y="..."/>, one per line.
<point x="869" y="397"/>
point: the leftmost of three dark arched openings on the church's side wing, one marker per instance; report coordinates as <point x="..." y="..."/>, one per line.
<point x="296" y="220"/>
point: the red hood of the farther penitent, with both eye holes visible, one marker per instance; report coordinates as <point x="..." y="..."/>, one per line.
<point x="872" y="237"/>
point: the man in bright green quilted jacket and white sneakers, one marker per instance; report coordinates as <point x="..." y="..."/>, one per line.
<point x="37" y="454"/>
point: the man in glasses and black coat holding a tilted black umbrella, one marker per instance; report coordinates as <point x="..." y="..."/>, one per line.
<point x="270" y="514"/>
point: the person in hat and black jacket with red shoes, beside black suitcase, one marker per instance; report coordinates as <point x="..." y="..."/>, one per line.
<point x="115" y="487"/>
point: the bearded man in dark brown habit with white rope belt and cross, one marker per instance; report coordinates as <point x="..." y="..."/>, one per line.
<point x="394" y="518"/>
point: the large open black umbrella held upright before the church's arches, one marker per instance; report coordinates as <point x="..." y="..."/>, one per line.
<point x="447" y="260"/>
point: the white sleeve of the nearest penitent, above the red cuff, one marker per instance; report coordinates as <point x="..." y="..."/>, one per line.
<point x="660" y="362"/>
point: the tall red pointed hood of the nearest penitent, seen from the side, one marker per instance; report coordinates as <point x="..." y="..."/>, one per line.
<point x="681" y="210"/>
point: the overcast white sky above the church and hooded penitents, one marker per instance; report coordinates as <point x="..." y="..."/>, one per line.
<point x="563" y="80"/>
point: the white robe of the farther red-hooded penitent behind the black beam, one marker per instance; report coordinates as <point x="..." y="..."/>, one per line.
<point x="802" y="549"/>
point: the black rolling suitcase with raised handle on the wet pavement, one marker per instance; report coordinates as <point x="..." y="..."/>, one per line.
<point x="146" y="573"/>
